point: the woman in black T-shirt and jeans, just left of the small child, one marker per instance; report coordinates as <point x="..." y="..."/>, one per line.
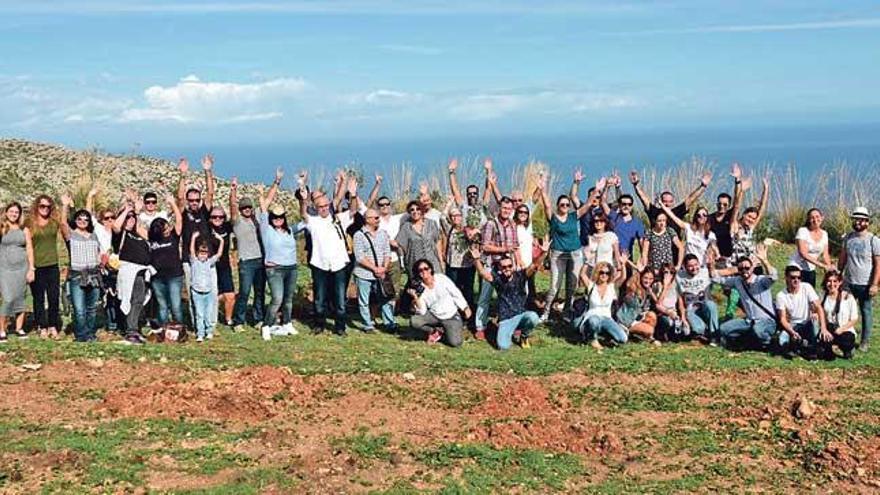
<point x="167" y="283"/>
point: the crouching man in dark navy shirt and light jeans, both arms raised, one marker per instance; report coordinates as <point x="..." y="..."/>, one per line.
<point x="514" y="322"/>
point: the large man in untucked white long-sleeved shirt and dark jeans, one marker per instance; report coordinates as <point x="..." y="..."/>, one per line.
<point x="329" y="261"/>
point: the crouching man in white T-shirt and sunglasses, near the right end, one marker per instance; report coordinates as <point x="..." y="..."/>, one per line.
<point x="795" y="306"/>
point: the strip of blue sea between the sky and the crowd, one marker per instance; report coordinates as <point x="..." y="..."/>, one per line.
<point x="810" y="148"/>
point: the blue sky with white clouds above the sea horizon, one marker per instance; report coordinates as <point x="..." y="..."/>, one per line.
<point x="114" y="73"/>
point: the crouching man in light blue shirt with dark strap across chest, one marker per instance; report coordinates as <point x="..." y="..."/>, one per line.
<point x="759" y="325"/>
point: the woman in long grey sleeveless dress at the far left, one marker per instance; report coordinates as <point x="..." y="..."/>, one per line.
<point x="14" y="264"/>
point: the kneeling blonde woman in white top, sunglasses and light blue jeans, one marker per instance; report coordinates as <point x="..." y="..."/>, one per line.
<point x="597" y="319"/>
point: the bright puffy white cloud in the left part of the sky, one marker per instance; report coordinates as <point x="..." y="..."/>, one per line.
<point x="194" y="100"/>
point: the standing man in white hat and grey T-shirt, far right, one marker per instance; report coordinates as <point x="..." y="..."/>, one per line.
<point x="860" y="264"/>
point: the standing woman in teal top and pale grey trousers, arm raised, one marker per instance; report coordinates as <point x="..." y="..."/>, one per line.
<point x="566" y="256"/>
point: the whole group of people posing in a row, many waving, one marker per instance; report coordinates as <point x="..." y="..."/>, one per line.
<point x="623" y="280"/>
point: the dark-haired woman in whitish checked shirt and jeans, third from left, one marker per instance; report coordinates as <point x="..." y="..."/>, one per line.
<point x="84" y="276"/>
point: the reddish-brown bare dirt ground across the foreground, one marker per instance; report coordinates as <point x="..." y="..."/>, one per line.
<point x="653" y="427"/>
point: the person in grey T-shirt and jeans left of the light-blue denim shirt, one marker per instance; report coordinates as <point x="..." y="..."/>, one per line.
<point x="251" y="269"/>
